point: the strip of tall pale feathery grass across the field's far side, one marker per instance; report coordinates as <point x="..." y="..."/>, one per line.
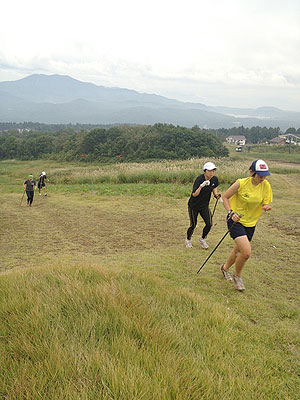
<point x="169" y="172"/>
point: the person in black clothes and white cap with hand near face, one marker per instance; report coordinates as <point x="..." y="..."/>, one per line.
<point x="198" y="203"/>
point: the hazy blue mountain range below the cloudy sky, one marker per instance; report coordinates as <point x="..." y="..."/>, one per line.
<point x="60" y="99"/>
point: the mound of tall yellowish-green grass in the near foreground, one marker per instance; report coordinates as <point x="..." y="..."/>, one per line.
<point x="90" y="332"/>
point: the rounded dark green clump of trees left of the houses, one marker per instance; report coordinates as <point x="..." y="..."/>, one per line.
<point x="161" y="141"/>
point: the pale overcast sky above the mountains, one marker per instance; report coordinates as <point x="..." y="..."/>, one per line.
<point x="235" y="53"/>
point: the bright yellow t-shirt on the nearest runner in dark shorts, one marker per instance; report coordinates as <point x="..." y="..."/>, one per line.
<point x="249" y="200"/>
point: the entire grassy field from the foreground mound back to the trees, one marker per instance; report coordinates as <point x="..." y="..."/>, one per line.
<point x="100" y="299"/>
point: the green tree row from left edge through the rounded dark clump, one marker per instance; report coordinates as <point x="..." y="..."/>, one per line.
<point x="122" y="143"/>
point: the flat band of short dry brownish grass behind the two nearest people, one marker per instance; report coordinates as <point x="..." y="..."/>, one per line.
<point x="81" y="225"/>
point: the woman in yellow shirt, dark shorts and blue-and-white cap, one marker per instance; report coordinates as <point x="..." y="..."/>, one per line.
<point x="244" y="202"/>
